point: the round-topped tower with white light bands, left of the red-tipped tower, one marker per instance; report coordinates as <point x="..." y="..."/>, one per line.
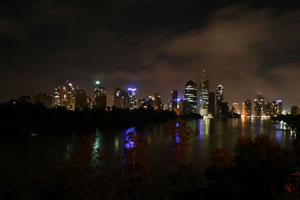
<point x="190" y="96"/>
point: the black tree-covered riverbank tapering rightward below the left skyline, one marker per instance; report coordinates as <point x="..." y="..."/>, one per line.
<point x="21" y="117"/>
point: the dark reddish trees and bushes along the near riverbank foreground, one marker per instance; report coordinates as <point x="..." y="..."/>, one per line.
<point x="255" y="169"/>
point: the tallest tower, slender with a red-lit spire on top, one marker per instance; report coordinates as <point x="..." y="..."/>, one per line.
<point x="204" y="95"/>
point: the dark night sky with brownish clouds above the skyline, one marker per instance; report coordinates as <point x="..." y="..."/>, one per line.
<point x="154" y="45"/>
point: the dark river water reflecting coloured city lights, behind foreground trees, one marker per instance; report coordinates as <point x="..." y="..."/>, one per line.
<point x="24" y="158"/>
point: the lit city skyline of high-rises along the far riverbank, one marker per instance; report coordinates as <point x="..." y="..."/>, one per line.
<point x="128" y="98"/>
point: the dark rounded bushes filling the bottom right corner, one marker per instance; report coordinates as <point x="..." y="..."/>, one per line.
<point x="260" y="169"/>
